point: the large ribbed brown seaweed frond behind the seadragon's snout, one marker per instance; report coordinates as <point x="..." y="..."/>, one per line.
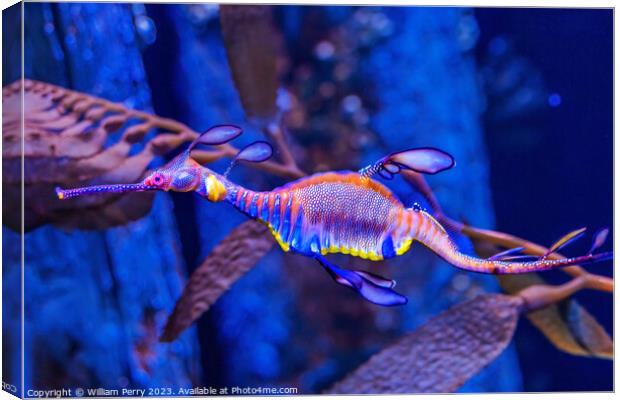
<point x="65" y="133"/>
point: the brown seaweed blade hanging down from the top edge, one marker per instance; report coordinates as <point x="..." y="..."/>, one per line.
<point x="250" y="40"/>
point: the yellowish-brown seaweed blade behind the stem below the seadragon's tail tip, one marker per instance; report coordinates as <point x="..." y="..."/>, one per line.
<point x="567" y="325"/>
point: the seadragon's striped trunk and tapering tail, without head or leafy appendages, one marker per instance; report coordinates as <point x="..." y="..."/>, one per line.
<point x="346" y="212"/>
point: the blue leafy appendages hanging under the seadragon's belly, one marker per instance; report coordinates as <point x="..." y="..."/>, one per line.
<point x="372" y="287"/>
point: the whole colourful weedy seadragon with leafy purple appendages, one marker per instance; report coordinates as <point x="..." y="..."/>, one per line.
<point x="341" y="212"/>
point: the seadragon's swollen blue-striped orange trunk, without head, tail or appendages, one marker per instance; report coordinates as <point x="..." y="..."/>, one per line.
<point x="335" y="212"/>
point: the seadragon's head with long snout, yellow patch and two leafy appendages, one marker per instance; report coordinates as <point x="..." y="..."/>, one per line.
<point x="184" y="174"/>
